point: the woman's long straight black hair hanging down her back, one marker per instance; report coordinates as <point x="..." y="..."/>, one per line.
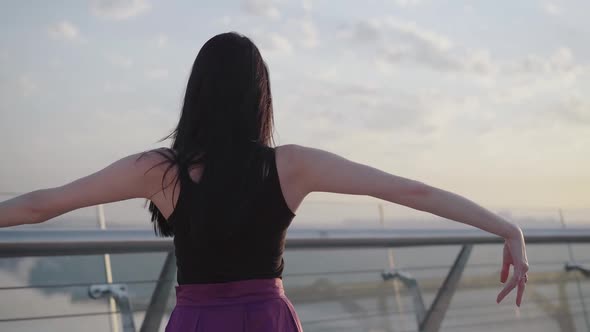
<point x="227" y="112"/>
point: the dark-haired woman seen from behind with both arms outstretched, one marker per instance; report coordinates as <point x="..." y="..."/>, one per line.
<point x="228" y="197"/>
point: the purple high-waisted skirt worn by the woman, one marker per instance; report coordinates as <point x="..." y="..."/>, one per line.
<point x="242" y="306"/>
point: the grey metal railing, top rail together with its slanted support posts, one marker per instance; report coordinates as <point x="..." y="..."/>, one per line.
<point x="56" y="242"/>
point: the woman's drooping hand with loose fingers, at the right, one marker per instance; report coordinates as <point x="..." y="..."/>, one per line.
<point x="515" y="255"/>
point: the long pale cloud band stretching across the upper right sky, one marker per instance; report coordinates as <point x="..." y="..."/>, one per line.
<point x="397" y="42"/>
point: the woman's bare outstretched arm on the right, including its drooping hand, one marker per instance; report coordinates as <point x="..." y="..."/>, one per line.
<point x="323" y="171"/>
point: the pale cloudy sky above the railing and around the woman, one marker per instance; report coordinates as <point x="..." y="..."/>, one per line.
<point x="486" y="99"/>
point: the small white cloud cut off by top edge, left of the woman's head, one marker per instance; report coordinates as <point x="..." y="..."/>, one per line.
<point x="119" y="9"/>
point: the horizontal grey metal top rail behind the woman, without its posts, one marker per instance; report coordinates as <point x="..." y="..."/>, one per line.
<point x="29" y="242"/>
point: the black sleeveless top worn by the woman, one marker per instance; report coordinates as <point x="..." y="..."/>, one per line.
<point x="255" y="248"/>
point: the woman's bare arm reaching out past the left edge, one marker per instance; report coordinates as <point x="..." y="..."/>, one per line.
<point x="124" y="179"/>
